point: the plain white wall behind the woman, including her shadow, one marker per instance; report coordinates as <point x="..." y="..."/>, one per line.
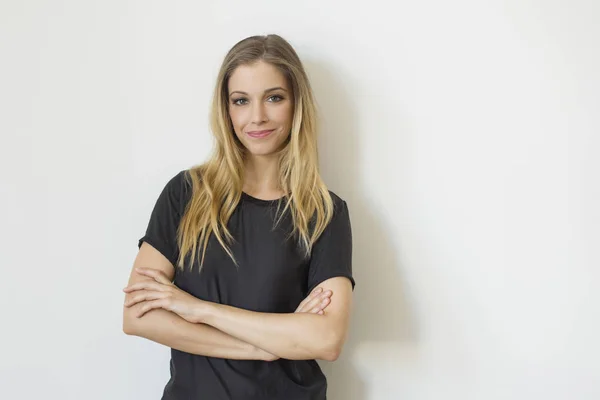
<point x="464" y="136"/>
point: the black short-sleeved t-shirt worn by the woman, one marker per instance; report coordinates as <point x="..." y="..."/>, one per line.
<point x="273" y="276"/>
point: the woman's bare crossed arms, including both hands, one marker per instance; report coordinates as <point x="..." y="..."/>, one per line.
<point x="159" y="311"/>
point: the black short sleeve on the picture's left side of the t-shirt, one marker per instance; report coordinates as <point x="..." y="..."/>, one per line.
<point x="161" y="232"/>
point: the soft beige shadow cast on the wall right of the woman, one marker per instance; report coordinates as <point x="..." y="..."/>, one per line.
<point x="381" y="314"/>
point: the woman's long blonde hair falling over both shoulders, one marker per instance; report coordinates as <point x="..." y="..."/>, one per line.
<point x="217" y="184"/>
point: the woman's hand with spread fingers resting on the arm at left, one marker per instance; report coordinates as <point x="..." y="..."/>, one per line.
<point x="162" y="293"/>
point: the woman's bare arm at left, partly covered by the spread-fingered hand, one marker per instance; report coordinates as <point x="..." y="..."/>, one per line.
<point x="169" y="329"/>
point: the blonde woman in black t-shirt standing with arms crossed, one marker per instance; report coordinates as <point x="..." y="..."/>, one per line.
<point x="245" y="268"/>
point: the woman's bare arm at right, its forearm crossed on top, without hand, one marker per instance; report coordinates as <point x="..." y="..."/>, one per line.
<point x="291" y="336"/>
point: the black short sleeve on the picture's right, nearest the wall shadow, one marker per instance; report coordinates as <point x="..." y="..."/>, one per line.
<point x="331" y="255"/>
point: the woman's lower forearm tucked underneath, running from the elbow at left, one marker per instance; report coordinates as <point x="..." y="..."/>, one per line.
<point x="169" y="329"/>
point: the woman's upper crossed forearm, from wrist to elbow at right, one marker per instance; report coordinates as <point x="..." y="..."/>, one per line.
<point x="297" y="336"/>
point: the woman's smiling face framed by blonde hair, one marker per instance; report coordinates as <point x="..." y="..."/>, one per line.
<point x="261" y="107"/>
